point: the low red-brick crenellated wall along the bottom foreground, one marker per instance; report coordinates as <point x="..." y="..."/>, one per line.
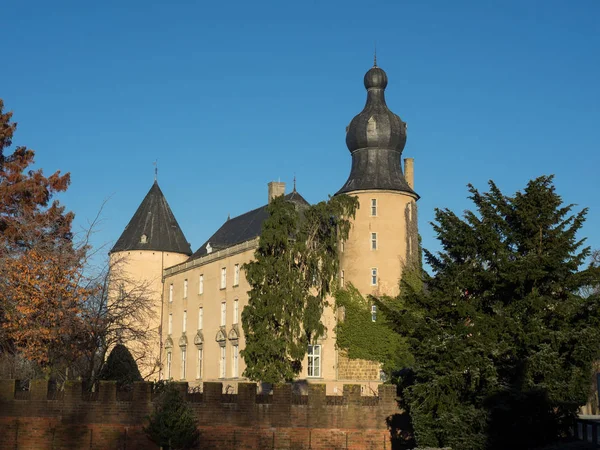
<point x="241" y="421"/>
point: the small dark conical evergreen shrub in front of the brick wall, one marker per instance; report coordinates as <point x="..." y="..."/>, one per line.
<point x="173" y="425"/>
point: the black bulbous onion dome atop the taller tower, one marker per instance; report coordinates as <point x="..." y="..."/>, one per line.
<point x="376" y="138"/>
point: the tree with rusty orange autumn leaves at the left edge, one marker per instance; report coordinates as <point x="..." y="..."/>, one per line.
<point x="40" y="267"/>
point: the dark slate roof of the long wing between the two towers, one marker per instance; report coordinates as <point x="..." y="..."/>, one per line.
<point x="242" y="228"/>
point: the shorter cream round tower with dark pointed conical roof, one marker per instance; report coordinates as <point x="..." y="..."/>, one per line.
<point x="151" y="242"/>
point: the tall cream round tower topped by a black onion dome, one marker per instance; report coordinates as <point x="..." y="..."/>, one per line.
<point x="383" y="239"/>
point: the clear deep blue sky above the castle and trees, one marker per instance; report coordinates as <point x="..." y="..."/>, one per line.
<point x="230" y="95"/>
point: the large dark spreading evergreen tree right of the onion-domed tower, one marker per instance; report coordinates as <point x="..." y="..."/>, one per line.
<point x="503" y="340"/>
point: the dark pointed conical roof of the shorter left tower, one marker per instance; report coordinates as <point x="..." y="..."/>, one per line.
<point x="153" y="227"/>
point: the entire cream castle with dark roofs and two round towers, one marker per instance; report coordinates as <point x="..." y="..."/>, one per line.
<point x="200" y="296"/>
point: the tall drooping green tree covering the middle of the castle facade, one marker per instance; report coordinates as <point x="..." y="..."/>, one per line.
<point x="294" y="270"/>
